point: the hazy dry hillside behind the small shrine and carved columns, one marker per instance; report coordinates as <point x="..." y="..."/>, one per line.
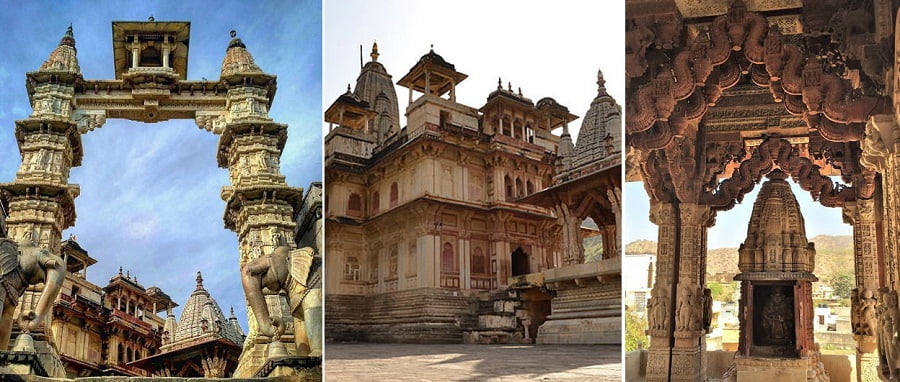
<point x="833" y="254"/>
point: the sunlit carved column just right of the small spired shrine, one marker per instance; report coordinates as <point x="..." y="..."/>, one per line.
<point x="861" y="215"/>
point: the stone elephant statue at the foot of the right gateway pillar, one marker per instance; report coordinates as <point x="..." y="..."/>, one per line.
<point x="296" y="272"/>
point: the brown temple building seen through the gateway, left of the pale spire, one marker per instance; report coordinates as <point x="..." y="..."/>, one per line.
<point x="99" y="330"/>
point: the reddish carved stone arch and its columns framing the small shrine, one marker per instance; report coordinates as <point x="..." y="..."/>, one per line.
<point x="722" y="93"/>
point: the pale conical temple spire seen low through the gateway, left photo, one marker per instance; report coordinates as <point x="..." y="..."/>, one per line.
<point x="202" y="318"/>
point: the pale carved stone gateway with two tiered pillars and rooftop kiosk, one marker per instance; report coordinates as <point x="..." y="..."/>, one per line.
<point x="260" y="206"/>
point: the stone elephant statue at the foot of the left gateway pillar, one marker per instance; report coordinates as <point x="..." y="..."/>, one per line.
<point x="21" y="266"/>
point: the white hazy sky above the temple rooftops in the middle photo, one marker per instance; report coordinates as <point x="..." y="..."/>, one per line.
<point x="548" y="49"/>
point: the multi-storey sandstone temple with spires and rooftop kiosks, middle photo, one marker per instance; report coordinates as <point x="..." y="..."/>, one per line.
<point x="468" y="224"/>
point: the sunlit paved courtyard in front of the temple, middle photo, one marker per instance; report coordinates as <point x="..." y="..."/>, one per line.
<point x="402" y="362"/>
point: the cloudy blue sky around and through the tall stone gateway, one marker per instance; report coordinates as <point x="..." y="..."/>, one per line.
<point x="150" y="192"/>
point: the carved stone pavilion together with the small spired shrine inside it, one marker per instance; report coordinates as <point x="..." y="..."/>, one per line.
<point x="725" y="94"/>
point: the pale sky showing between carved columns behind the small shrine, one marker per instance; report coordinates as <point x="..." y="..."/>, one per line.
<point x="730" y="229"/>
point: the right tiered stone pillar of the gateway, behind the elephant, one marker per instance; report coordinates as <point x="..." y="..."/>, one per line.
<point x="260" y="207"/>
